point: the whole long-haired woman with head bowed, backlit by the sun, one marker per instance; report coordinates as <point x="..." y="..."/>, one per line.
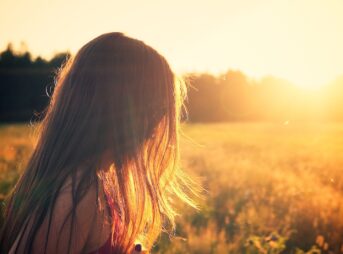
<point x="104" y="175"/>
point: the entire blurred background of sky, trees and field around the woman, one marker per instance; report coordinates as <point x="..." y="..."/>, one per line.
<point x="264" y="131"/>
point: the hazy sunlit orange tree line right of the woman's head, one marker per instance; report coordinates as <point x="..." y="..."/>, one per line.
<point x="233" y="96"/>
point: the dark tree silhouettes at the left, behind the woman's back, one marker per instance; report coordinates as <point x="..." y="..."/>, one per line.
<point x="23" y="84"/>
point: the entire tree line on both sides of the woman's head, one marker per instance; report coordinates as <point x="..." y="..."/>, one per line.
<point x="25" y="84"/>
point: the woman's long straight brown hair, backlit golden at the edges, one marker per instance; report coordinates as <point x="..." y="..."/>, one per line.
<point x="117" y="101"/>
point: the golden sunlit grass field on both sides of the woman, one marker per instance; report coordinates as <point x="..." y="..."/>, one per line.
<point x="270" y="188"/>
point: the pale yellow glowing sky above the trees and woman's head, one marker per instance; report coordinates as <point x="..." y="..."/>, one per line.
<point x="298" y="40"/>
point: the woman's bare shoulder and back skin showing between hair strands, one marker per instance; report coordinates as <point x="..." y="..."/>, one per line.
<point x="89" y="233"/>
